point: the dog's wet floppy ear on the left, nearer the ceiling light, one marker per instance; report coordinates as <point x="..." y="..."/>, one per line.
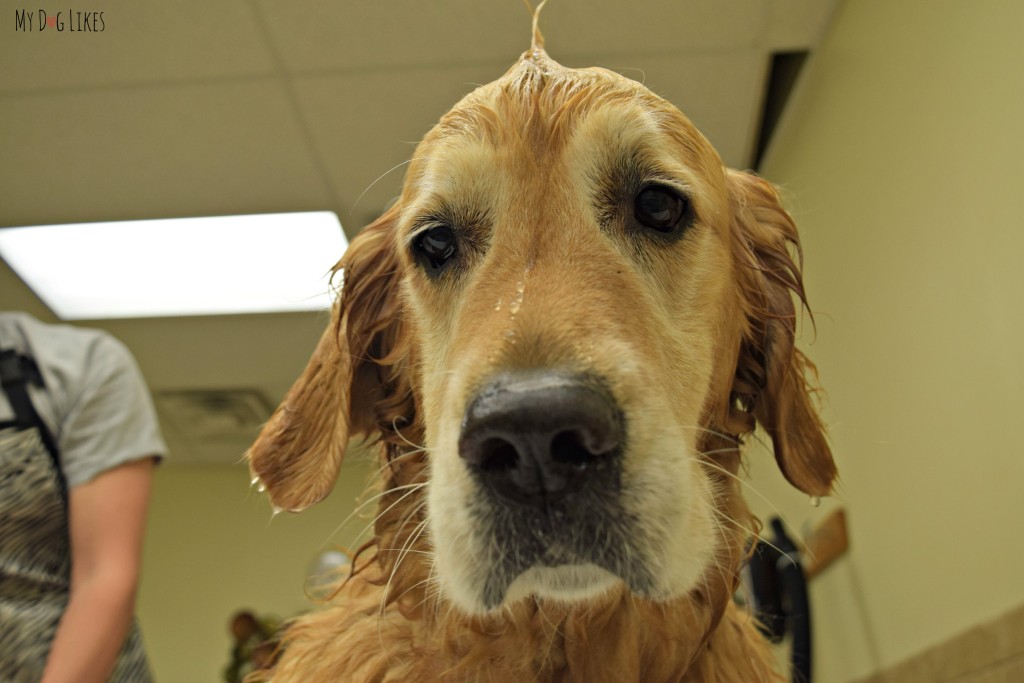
<point x="356" y="382"/>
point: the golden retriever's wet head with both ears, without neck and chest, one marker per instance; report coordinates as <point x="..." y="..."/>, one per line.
<point x="578" y="313"/>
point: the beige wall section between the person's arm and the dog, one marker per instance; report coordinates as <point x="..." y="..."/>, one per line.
<point x="212" y="548"/>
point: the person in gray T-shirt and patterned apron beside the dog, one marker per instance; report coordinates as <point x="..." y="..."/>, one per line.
<point x="79" y="440"/>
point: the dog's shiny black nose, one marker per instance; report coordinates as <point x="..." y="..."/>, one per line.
<point x="537" y="437"/>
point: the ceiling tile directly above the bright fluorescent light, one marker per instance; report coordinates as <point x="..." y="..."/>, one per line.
<point x="147" y="153"/>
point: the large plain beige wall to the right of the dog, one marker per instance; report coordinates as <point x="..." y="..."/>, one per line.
<point x="904" y="159"/>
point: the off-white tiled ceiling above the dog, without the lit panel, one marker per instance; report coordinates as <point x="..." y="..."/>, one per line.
<point x="232" y="107"/>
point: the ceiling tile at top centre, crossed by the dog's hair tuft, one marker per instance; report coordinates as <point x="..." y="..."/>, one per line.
<point x="319" y="35"/>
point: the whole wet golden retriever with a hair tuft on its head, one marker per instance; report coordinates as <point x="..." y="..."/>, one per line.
<point x="560" y="337"/>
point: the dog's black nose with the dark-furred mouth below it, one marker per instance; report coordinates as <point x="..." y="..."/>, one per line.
<point x="547" y="449"/>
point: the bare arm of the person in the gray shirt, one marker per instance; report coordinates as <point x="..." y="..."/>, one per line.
<point x="107" y="522"/>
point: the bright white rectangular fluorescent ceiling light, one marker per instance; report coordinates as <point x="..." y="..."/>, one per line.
<point x="180" y="267"/>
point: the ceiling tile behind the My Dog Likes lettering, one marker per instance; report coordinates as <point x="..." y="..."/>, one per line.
<point x="159" y="41"/>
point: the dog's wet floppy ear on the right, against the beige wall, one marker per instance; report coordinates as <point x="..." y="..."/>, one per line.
<point x="774" y="378"/>
